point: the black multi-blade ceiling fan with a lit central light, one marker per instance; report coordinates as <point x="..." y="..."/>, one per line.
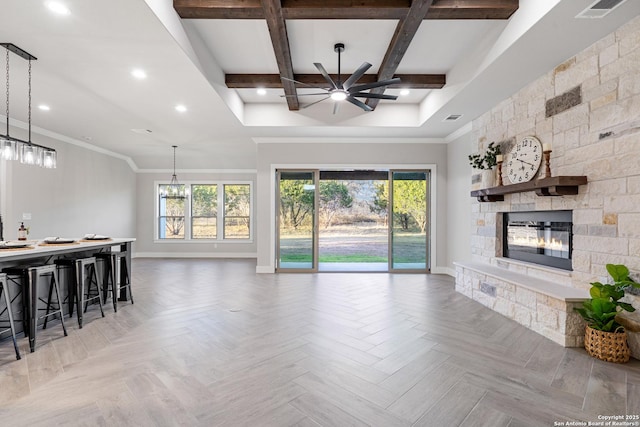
<point x="348" y="90"/>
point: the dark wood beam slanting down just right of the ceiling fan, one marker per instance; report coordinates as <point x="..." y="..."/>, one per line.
<point x="405" y="31"/>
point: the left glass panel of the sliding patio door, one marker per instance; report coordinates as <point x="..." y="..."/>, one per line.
<point x="297" y="246"/>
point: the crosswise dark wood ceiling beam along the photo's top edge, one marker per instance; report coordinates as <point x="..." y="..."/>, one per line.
<point x="341" y="9"/>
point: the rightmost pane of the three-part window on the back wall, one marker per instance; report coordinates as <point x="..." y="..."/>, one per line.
<point x="237" y="211"/>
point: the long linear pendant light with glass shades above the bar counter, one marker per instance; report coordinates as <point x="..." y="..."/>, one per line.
<point x="16" y="149"/>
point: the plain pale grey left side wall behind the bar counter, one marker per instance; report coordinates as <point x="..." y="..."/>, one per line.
<point x="89" y="192"/>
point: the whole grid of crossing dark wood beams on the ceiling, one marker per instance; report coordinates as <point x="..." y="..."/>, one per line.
<point x="406" y="16"/>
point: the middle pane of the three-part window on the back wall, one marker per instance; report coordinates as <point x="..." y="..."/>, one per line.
<point x="204" y="211"/>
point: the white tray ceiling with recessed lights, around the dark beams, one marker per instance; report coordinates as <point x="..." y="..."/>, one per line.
<point x="85" y="59"/>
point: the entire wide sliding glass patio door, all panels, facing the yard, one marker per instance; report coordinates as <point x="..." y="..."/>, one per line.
<point x="352" y="221"/>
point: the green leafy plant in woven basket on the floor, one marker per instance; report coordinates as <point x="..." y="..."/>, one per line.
<point x="604" y="337"/>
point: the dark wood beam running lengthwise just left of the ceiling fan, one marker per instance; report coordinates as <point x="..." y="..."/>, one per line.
<point x="280" y="41"/>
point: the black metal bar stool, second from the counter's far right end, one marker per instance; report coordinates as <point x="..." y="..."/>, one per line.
<point x="83" y="274"/>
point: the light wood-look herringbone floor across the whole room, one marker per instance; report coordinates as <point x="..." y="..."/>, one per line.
<point x="211" y="343"/>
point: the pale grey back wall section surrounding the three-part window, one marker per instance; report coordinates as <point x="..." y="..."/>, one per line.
<point x="145" y="217"/>
